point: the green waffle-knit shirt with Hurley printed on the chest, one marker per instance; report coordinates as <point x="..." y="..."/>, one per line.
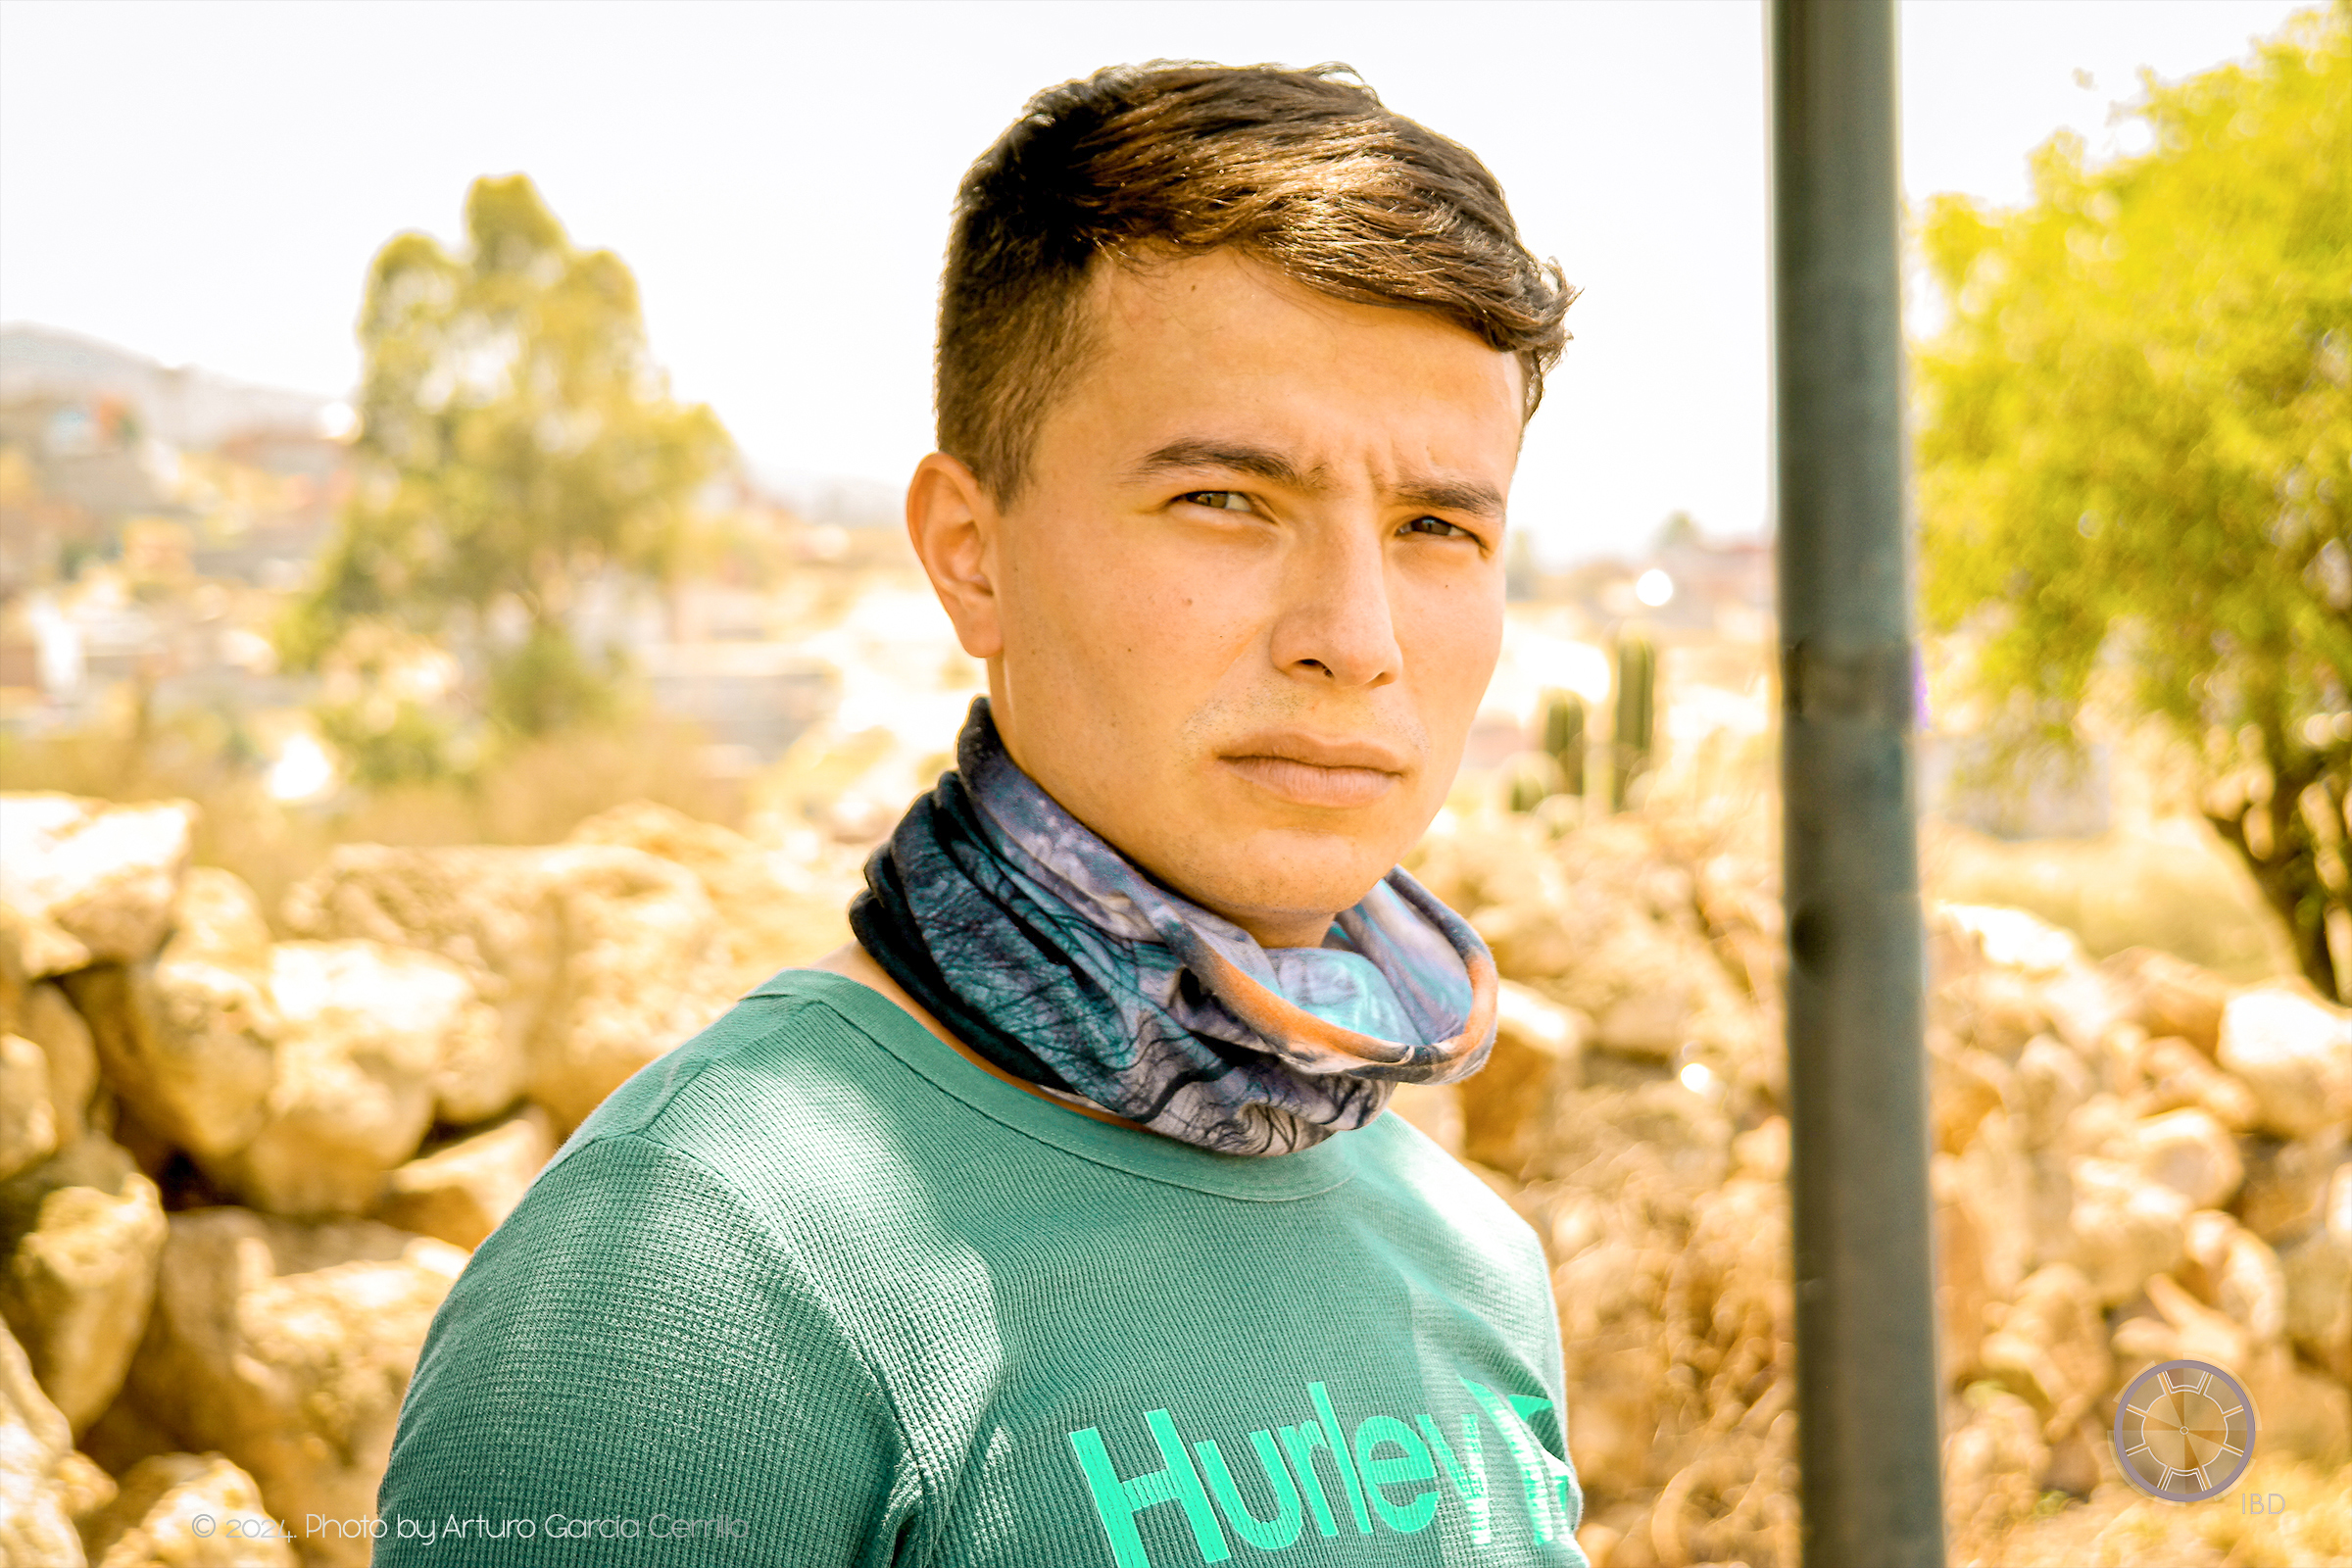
<point x="813" y="1289"/>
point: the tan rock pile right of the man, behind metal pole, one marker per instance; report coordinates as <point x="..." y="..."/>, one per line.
<point x="2134" y="1160"/>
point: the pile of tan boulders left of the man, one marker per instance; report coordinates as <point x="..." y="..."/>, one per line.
<point x="239" y="1174"/>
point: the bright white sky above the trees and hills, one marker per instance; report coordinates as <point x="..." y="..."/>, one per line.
<point x="208" y="182"/>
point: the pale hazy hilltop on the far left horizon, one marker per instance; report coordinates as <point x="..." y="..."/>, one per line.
<point x="178" y="406"/>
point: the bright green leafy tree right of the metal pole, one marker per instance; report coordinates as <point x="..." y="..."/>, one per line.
<point x="2137" y="450"/>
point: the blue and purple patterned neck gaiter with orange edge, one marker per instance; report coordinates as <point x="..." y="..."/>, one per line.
<point x="1048" y="953"/>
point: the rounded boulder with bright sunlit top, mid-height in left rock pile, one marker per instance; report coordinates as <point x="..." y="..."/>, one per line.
<point x="366" y="1040"/>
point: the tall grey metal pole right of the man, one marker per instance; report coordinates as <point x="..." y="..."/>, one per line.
<point x="1866" y="1325"/>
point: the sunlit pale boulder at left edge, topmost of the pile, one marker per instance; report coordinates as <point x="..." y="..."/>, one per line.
<point x="88" y="880"/>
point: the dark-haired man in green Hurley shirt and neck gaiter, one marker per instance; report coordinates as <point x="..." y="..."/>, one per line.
<point x="1057" y="1219"/>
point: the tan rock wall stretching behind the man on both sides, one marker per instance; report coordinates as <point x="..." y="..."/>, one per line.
<point x="241" y="1162"/>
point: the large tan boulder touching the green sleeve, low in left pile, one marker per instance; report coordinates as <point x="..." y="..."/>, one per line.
<point x="288" y="1351"/>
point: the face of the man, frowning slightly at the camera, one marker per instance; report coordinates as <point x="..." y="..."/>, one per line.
<point x="1250" y="598"/>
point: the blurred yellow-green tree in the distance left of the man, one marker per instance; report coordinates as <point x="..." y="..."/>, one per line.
<point x="516" y="441"/>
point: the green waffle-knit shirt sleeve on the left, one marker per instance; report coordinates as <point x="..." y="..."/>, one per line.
<point x="634" y="1372"/>
